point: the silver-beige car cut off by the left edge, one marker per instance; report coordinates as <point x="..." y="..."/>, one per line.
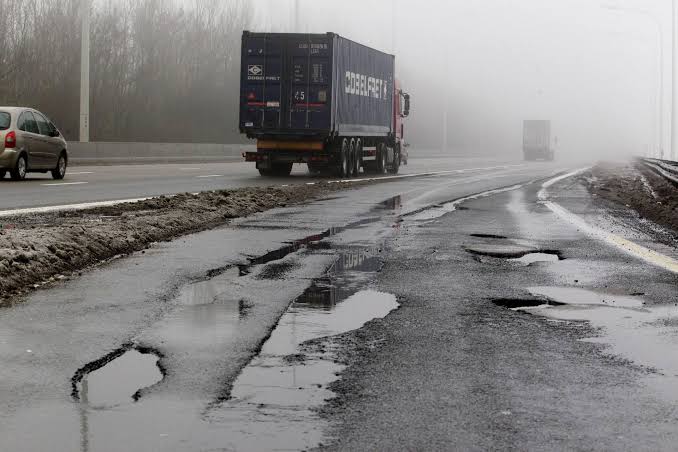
<point x="29" y="142"/>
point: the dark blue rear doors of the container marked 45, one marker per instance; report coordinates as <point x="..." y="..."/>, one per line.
<point x="286" y="83"/>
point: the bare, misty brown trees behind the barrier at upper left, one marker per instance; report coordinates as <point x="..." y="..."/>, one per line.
<point x="160" y="70"/>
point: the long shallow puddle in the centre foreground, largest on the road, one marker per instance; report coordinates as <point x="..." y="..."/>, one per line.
<point x="273" y="400"/>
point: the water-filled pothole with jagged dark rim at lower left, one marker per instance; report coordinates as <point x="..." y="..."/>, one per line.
<point x="112" y="382"/>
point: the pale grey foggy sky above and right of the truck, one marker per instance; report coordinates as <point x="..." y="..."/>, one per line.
<point x="591" y="66"/>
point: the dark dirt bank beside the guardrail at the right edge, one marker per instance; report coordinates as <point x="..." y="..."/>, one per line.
<point x="635" y="186"/>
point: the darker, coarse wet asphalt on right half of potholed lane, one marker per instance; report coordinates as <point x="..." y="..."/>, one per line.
<point x="457" y="369"/>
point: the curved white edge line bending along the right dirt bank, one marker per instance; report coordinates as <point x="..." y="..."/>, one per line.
<point x="629" y="247"/>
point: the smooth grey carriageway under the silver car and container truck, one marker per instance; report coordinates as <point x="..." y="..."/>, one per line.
<point x="103" y="183"/>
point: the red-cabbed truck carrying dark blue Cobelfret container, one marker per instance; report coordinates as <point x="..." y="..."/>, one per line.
<point x="322" y="100"/>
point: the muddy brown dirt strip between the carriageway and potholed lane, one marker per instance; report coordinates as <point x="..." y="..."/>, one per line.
<point x="40" y="249"/>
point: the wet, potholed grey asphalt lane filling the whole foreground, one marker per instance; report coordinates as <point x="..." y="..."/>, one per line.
<point x="451" y="369"/>
